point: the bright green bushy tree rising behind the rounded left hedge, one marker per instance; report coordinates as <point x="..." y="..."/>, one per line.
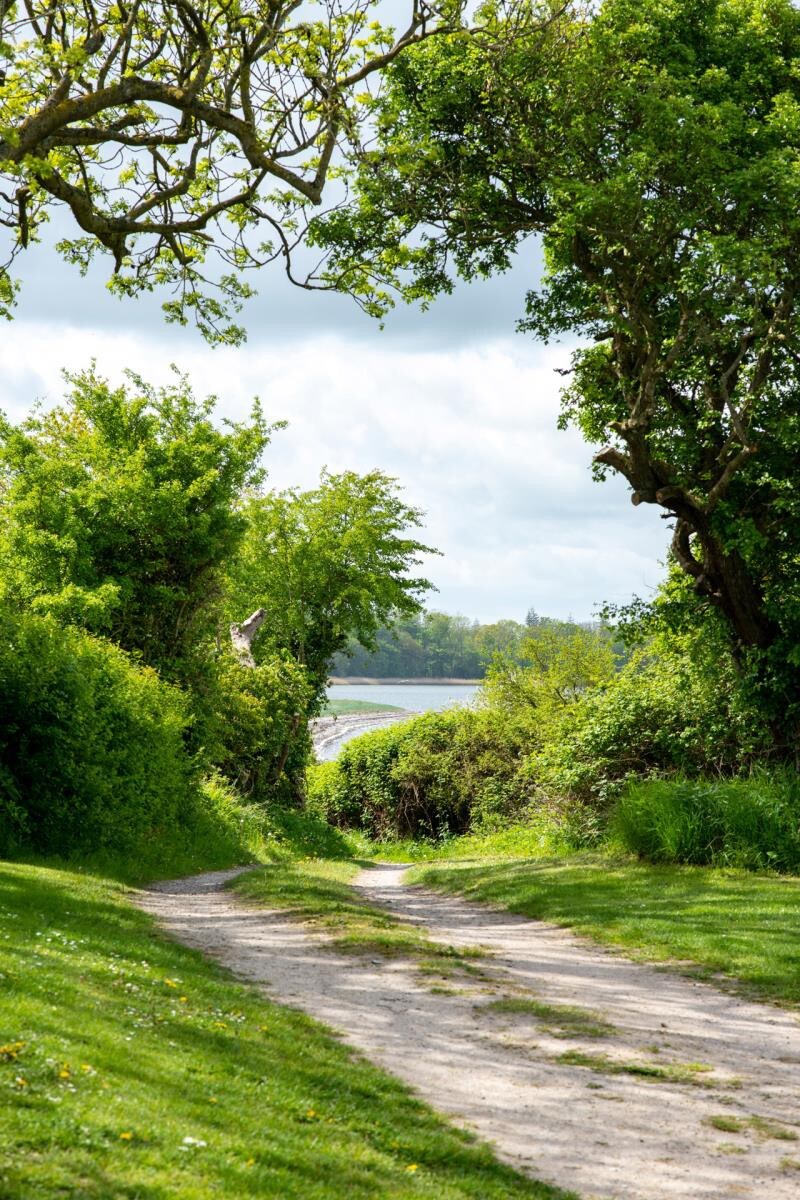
<point x="118" y="514"/>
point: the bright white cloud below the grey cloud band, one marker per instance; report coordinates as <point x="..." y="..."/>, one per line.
<point x="471" y="431"/>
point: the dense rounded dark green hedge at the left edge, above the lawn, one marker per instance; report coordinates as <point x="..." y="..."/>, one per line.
<point x="92" y="746"/>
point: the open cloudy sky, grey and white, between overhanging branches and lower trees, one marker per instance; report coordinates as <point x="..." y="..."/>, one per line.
<point x="454" y="403"/>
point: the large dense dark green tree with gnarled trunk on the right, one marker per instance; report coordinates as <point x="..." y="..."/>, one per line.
<point x="655" y="149"/>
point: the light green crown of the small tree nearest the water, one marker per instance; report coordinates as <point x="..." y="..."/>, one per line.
<point x="327" y="566"/>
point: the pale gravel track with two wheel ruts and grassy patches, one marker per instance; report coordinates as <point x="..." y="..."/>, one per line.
<point x="582" y="1069"/>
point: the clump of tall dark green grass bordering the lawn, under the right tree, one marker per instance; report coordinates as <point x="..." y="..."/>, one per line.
<point x="732" y="823"/>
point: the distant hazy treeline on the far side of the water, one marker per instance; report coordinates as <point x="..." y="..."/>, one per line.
<point x="438" y="645"/>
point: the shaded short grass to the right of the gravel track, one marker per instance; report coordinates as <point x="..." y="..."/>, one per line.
<point x="727" y="923"/>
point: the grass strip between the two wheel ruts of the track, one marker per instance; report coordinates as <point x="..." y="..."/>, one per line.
<point x="317" y="892"/>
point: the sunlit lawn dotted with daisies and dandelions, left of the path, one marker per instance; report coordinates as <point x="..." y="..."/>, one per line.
<point x="134" y="1070"/>
